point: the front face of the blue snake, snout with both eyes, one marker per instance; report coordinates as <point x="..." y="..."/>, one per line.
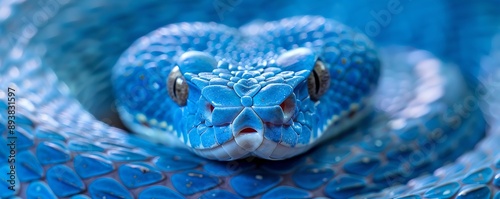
<point x="262" y="109"/>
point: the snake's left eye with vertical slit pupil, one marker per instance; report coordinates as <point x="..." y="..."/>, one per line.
<point x="177" y="87"/>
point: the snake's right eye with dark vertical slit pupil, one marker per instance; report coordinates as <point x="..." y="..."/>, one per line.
<point x="318" y="81"/>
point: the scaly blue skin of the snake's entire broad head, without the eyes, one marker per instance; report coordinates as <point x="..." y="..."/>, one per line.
<point x="253" y="78"/>
